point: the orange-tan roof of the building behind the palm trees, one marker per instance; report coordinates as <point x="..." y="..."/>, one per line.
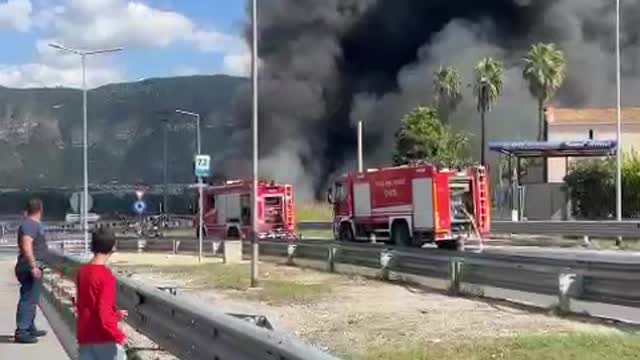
<point x="591" y="116"/>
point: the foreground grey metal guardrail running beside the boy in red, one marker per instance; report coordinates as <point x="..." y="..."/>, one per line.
<point x="195" y="331"/>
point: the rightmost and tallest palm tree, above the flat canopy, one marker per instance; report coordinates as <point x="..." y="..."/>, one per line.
<point x="545" y="70"/>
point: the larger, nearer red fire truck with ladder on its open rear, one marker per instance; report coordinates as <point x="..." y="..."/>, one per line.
<point x="412" y="205"/>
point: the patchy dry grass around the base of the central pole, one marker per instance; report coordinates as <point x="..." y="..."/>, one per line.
<point x="274" y="289"/>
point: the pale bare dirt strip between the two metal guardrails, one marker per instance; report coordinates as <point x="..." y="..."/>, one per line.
<point x="359" y="313"/>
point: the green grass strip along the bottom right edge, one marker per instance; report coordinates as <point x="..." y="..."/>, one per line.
<point x="547" y="347"/>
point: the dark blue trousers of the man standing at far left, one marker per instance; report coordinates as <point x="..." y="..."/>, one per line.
<point x="28" y="303"/>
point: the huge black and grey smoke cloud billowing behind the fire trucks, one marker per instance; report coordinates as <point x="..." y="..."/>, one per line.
<point x="327" y="64"/>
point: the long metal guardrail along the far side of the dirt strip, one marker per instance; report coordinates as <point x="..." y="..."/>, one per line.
<point x="594" y="281"/>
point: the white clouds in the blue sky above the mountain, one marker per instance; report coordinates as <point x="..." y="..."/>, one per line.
<point x="94" y="24"/>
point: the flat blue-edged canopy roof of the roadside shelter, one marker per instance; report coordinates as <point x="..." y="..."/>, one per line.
<point x="556" y="148"/>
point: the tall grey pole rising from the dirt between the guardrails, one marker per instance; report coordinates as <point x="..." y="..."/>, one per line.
<point x="254" y="90"/>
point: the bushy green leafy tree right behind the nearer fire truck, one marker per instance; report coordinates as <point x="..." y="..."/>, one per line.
<point x="423" y="138"/>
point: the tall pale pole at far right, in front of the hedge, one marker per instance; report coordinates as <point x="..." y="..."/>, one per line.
<point x="618" y="121"/>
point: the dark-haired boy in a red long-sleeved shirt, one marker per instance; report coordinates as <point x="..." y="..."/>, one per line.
<point x="99" y="337"/>
